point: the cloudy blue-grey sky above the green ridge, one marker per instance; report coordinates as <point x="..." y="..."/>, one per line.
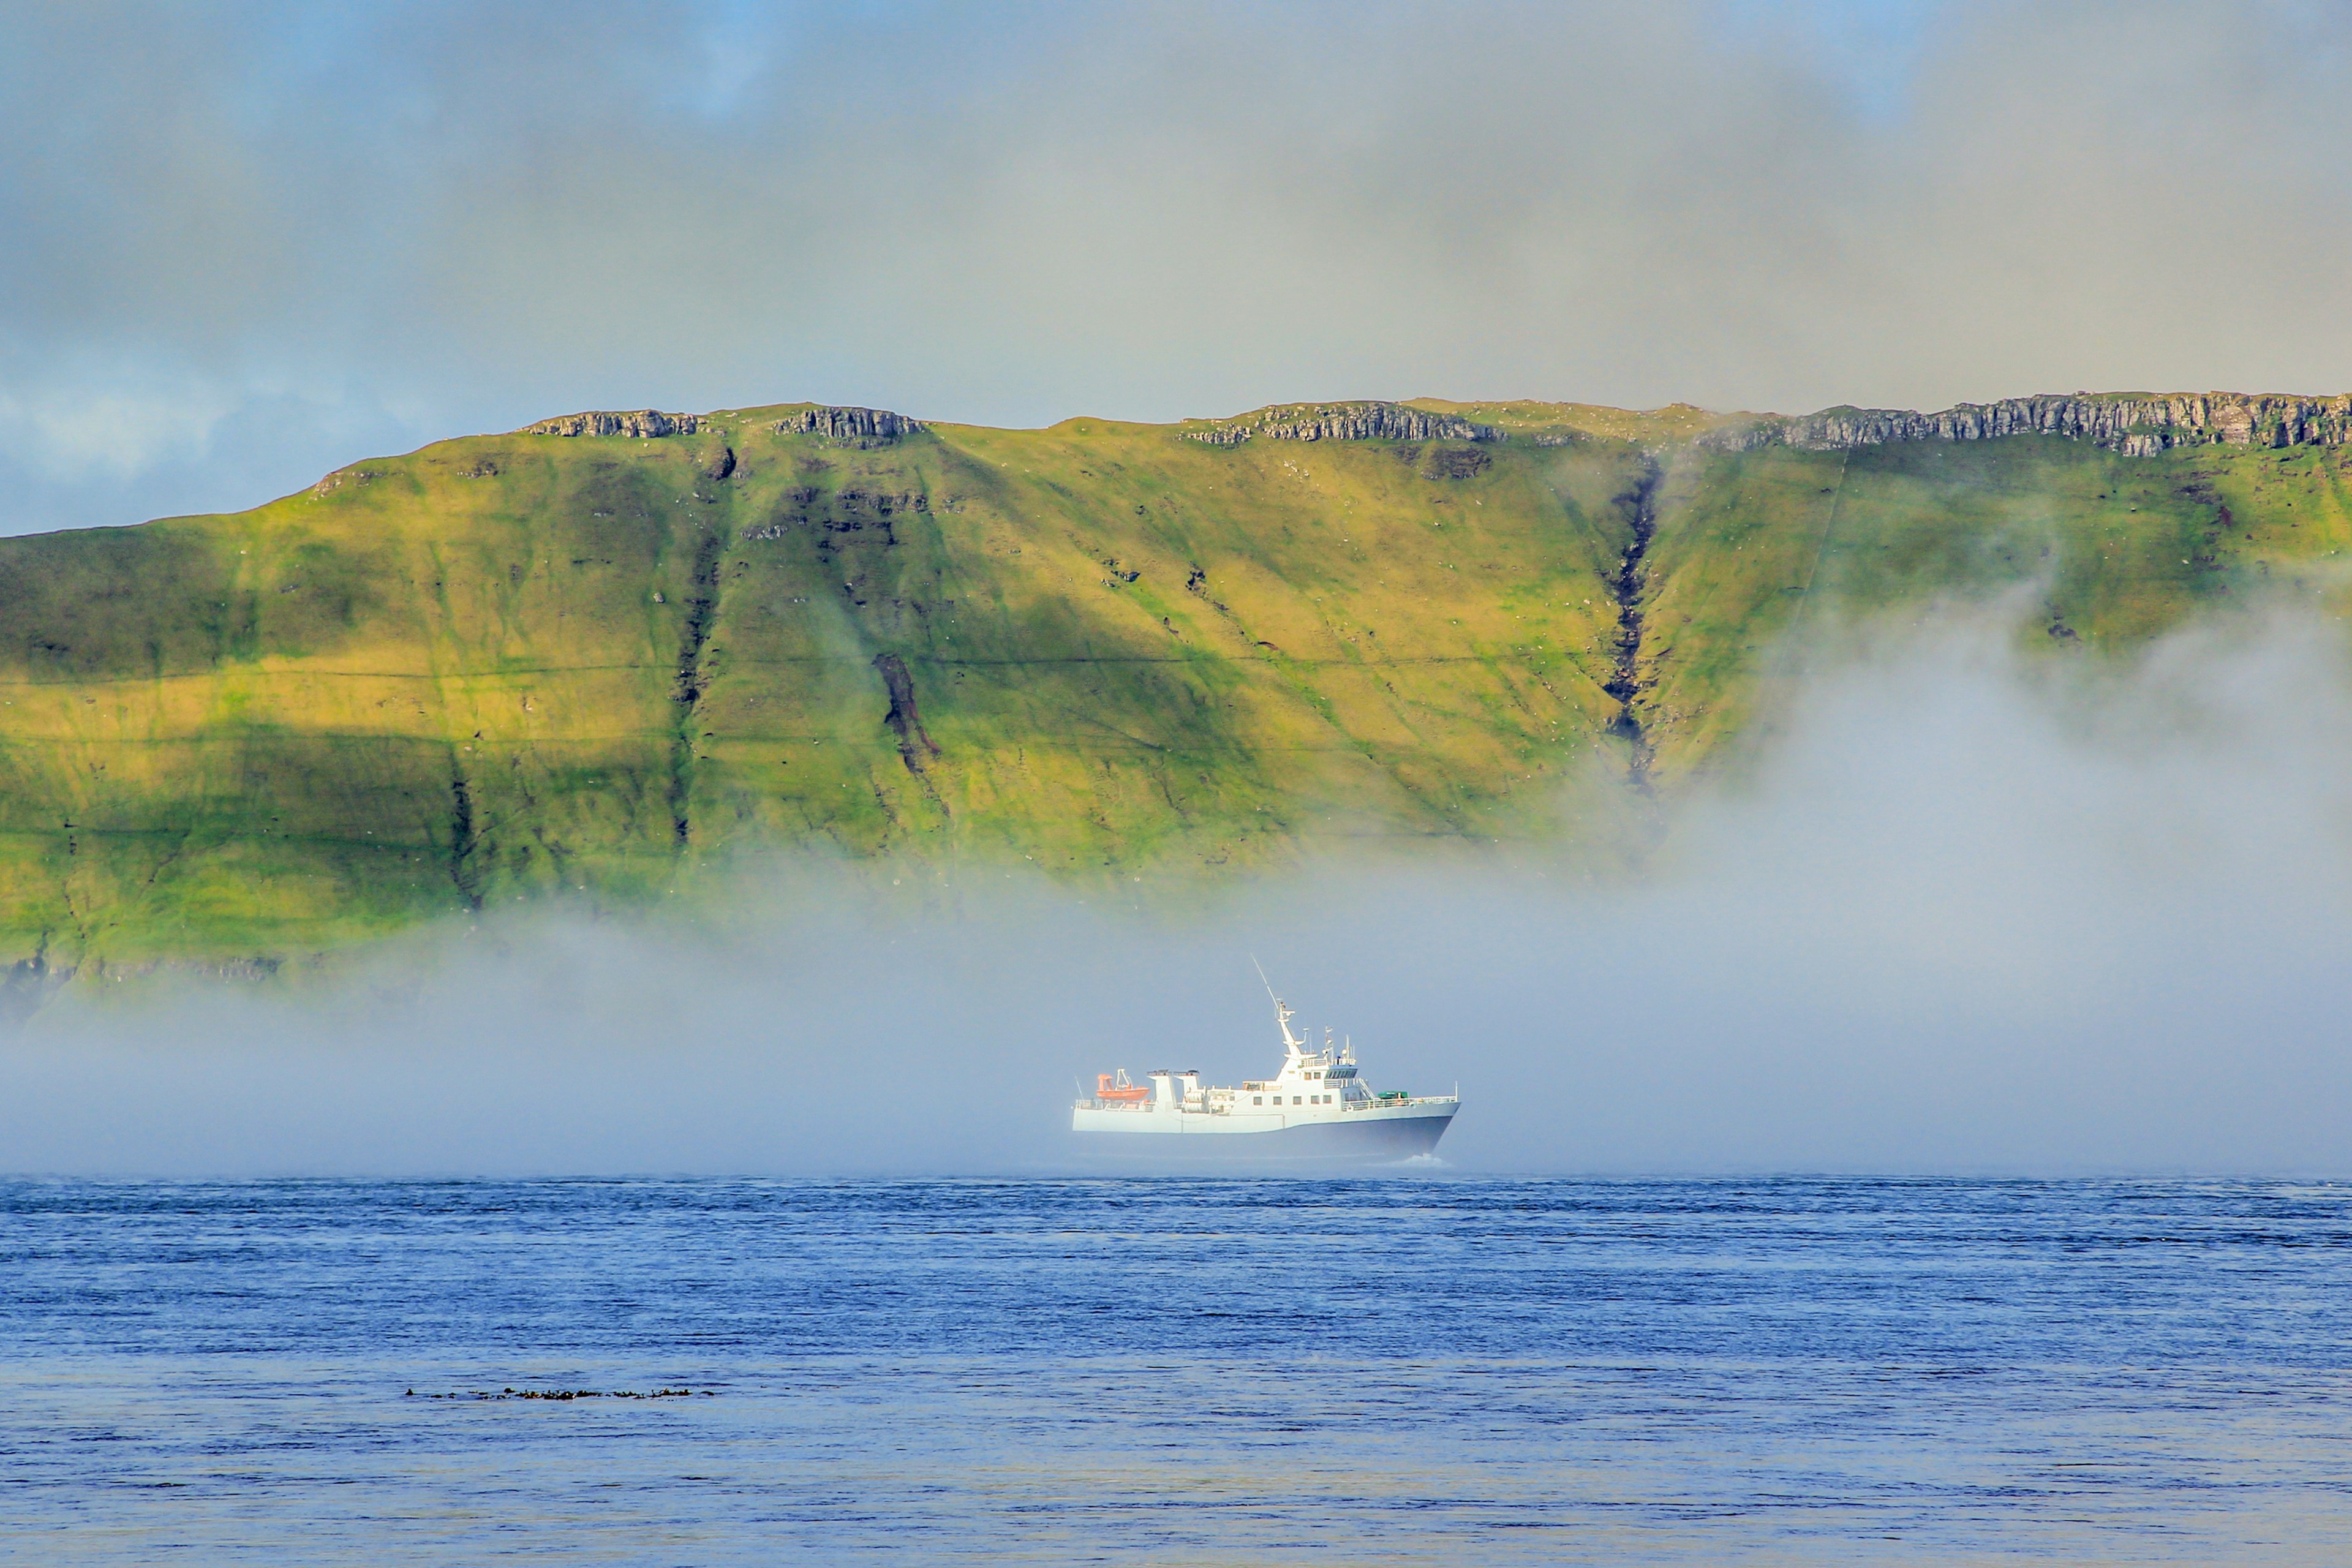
<point x="248" y="243"/>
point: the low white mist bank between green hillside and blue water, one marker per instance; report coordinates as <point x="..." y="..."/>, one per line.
<point x="1956" y="911"/>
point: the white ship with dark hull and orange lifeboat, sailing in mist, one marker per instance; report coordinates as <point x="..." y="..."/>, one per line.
<point x="1316" y="1108"/>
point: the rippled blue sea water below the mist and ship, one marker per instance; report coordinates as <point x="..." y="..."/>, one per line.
<point x="1177" y="1372"/>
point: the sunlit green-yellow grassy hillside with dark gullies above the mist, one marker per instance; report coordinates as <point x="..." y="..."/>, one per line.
<point x="537" y="662"/>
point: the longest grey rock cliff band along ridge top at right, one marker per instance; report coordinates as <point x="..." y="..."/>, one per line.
<point x="2125" y="424"/>
